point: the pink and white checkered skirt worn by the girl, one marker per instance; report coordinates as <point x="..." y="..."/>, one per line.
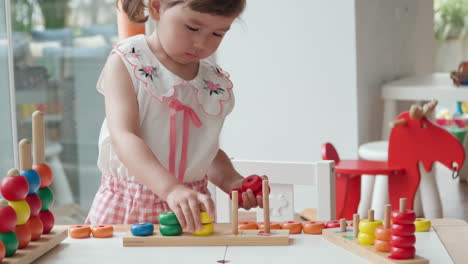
<point x="124" y="201"/>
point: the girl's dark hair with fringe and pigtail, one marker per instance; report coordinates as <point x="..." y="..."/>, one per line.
<point x="135" y="9"/>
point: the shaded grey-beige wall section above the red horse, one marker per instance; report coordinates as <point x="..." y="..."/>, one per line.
<point x="394" y="39"/>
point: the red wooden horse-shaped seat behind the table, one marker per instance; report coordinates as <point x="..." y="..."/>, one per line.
<point x="413" y="140"/>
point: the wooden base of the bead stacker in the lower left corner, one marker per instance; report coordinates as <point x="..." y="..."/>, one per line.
<point x="37" y="248"/>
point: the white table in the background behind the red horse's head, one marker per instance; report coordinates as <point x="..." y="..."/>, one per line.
<point x="437" y="86"/>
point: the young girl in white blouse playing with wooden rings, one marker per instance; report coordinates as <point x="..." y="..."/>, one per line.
<point x="165" y="107"/>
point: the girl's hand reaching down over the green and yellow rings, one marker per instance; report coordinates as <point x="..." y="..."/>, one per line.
<point x="185" y="203"/>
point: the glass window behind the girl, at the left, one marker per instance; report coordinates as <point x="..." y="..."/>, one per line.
<point x="60" y="47"/>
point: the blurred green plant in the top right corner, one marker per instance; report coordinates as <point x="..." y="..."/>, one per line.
<point x="451" y="19"/>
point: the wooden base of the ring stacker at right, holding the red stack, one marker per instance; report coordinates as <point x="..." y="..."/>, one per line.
<point x="349" y="242"/>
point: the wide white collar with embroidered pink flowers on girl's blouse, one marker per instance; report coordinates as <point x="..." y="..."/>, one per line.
<point x="212" y="85"/>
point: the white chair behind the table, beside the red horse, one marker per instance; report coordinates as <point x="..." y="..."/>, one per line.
<point x="282" y="177"/>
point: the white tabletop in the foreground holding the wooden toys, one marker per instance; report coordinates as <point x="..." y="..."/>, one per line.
<point x="303" y="249"/>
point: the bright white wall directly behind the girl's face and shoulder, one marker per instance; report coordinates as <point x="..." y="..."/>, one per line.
<point x="293" y="65"/>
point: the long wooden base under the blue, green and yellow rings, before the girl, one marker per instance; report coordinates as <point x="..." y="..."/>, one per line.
<point x="222" y="236"/>
